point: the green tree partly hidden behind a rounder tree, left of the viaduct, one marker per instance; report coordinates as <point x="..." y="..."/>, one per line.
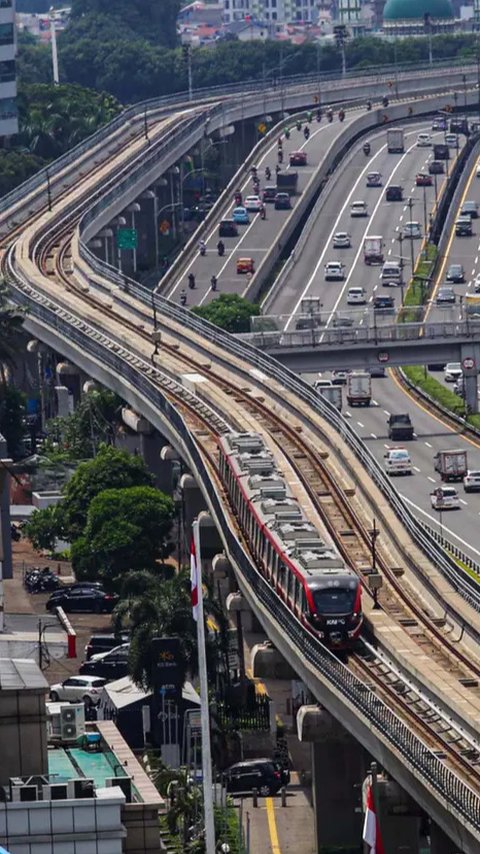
<point x="111" y="469"/>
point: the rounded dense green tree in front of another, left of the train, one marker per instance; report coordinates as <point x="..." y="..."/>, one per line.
<point x="126" y="529"/>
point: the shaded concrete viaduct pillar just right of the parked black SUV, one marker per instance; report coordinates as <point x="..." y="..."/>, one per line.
<point x="339" y="764"/>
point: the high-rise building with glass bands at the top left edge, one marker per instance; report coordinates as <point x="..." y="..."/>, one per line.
<point x="8" y="84"/>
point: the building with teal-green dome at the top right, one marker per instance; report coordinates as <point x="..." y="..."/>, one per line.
<point x="418" y="17"/>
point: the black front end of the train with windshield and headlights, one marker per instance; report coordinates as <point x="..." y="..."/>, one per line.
<point x="335" y="604"/>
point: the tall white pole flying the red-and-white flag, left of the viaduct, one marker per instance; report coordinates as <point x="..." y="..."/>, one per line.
<point x="204" y="708"/>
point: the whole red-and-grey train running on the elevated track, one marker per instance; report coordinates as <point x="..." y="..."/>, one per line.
<point x="296" y="559"/>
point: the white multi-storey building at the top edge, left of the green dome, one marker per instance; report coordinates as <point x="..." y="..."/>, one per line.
<point x="270" y="11"/>
